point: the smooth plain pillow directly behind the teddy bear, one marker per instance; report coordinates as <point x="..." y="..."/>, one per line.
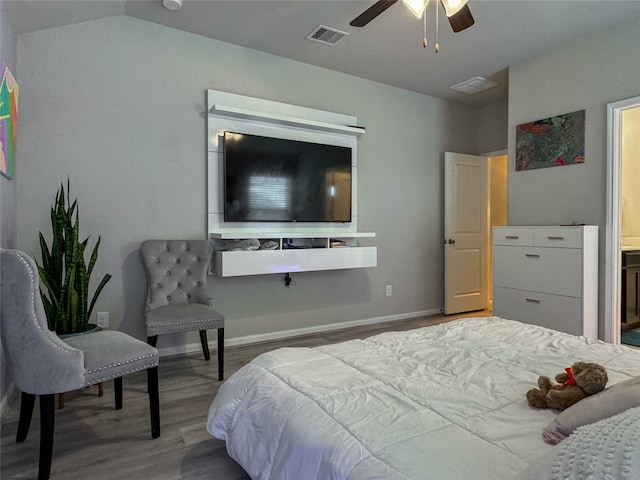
<point x="609" y="402"/>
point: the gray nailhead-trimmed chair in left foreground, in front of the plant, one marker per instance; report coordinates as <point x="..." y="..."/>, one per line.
<point x="40" y="363"/>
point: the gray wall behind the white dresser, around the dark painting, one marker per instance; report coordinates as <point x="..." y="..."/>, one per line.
<point x="587" y="74"/>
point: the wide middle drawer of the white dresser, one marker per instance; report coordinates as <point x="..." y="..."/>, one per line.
<point x="548" y="270"/>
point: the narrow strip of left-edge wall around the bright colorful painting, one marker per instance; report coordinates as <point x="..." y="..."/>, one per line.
<point x="7" y="187"/>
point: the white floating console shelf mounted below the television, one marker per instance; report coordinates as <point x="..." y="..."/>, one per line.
<point x="295" y="252"/>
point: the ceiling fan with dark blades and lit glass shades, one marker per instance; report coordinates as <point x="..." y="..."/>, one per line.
<point x="457" y="11"/>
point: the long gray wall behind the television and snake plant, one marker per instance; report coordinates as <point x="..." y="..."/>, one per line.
<point x="118" y="104"/>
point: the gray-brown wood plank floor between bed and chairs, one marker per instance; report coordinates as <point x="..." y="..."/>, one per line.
<point x="94" y="441"/>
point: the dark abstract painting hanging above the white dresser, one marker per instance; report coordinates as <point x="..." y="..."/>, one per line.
<point x="551" y="142"/>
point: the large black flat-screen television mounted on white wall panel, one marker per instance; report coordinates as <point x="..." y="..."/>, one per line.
<point x="278" y="180"/>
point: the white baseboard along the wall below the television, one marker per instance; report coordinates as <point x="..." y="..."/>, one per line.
<point x="266" y="337"/>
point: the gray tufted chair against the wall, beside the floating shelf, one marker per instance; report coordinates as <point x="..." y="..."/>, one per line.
<point x="178" y="298"/>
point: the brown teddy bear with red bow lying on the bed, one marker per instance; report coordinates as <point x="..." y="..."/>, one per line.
<point x="575" y="383"/>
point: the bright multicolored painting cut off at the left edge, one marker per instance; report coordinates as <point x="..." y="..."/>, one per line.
<point x="8" y="123"/>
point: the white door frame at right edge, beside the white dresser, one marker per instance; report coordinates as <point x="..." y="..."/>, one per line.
<point x="613" y="268"/>
